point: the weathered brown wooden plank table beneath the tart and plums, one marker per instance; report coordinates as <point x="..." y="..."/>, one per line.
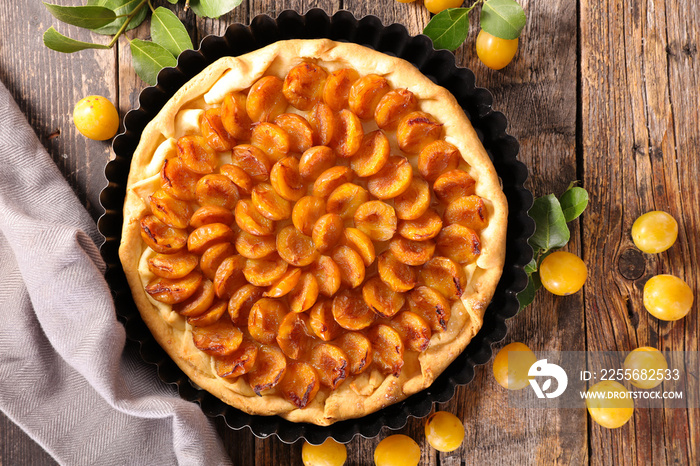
<point x="603" y="91"/>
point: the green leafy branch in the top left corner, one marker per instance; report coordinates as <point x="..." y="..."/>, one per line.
<point x="169" y="37"/>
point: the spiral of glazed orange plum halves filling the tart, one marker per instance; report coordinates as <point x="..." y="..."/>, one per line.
<point x="315" y="253"/>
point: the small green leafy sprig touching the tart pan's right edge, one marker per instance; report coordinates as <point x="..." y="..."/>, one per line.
<point x="551" y="232"/>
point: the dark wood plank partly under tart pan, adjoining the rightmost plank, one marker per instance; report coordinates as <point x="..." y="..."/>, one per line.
<point x="537" y="93"/>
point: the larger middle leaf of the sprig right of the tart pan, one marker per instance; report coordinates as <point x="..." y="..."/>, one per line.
<point x="550" y="225"/>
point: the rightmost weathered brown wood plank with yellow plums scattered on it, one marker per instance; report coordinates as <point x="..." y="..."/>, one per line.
<point x="638" y="71"/>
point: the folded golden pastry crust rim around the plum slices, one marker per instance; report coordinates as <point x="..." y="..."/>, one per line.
<point x="367" y="392"/>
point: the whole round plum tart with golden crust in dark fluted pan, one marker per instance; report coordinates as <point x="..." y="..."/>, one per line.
<point x="312" y="230"/>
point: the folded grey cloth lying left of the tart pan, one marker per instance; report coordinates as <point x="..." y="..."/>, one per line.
<point x="65" y="377"/>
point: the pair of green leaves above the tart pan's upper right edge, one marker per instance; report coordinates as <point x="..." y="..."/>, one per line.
<point x="501" y="18"/>
